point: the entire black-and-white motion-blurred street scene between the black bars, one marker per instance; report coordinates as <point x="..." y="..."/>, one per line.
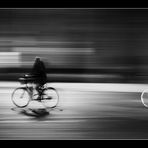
<point x="73" y="73"/>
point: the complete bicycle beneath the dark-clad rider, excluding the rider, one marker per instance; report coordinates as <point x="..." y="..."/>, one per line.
<point x="22" y="96"/>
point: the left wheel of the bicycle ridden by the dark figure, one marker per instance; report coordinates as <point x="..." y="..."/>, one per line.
<point x="20" y="97"/>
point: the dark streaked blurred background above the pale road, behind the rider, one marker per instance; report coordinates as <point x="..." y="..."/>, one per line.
<point x="77" y="45"/>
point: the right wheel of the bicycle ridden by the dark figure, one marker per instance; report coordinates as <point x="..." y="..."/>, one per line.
<point x="50" y="97"/>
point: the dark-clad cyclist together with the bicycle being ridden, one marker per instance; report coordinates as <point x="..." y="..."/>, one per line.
<point x="21" y="96"/>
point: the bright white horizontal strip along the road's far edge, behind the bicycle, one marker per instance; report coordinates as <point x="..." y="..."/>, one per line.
<point x="113" y="87"/>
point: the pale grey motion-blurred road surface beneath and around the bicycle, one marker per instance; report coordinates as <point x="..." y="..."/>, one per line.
<point x="89" y="111"/>
